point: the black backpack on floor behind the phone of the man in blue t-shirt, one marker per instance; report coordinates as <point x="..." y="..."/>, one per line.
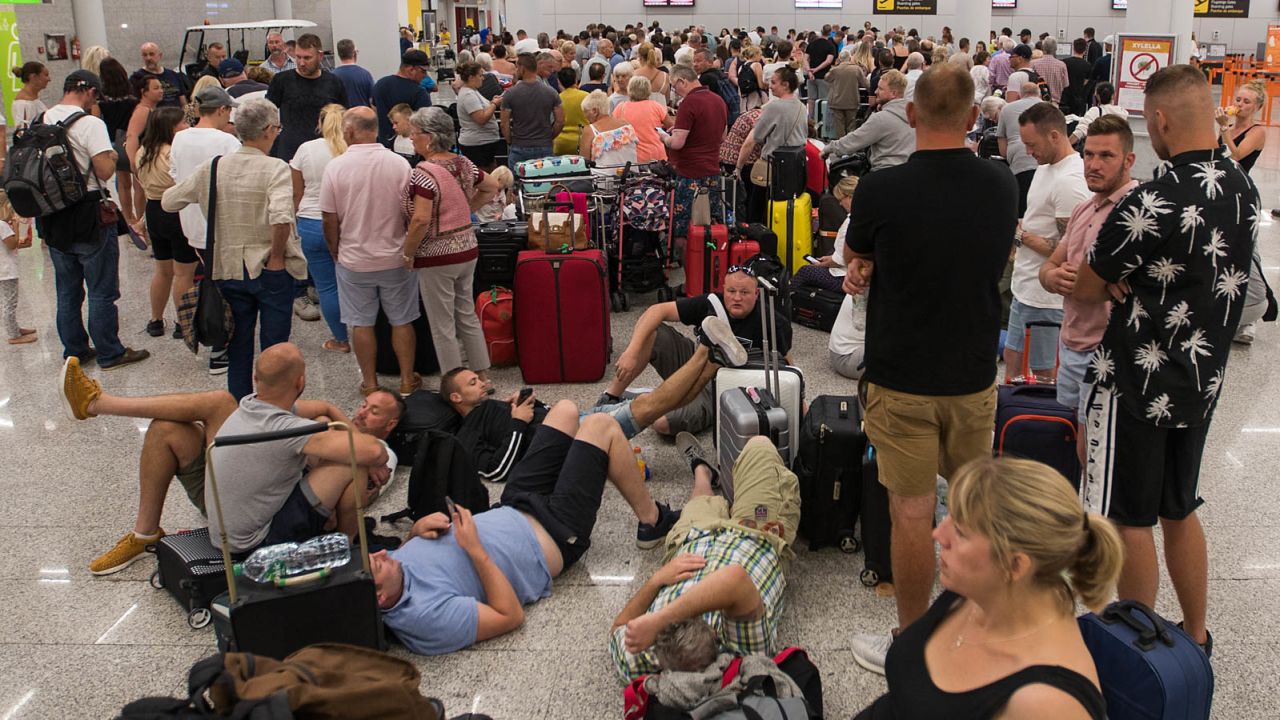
<point x="442" y="467"/>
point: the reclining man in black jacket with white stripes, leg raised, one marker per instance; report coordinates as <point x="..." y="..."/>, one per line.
<point x="497" y="432"/>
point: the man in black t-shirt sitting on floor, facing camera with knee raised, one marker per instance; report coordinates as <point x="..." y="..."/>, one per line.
<point x="666" y="349"/>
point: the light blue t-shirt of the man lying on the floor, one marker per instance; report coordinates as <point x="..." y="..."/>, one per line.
<point x="438" y="613"/>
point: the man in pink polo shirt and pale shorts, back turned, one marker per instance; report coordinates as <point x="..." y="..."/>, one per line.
<point x="364" y="226"/>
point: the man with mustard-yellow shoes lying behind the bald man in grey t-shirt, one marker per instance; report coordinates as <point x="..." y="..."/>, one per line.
<point x="175" y="445"/>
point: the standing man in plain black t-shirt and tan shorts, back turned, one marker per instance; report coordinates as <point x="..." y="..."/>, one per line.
<point x="931" y="394"/>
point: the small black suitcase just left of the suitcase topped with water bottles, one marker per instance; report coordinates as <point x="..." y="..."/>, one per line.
<point x="191" y="569"/>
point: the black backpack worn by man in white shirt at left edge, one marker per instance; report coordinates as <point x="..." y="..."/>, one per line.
<point x="42" y="176"/>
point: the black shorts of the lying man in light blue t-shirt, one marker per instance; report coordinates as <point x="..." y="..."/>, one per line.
<point x="560" y="482"/>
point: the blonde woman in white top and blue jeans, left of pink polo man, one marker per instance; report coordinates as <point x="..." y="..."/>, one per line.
<point x="308" y="168"/>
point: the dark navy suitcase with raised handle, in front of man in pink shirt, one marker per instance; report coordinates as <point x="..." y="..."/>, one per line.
<point x="1032" y="425"/>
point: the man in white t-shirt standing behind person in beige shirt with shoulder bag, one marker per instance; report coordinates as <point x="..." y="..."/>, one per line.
<point x="213" y="136"/>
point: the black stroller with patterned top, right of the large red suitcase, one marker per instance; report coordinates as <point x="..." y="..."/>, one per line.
<point x="642" y="213"/>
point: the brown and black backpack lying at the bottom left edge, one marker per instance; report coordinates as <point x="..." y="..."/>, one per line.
<point x="322" y="681"/>
